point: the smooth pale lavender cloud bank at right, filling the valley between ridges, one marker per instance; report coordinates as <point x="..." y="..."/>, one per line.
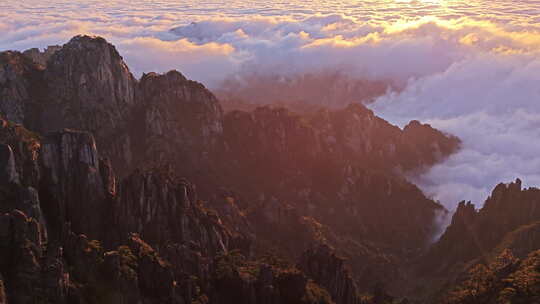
<point x="493" y="104"/>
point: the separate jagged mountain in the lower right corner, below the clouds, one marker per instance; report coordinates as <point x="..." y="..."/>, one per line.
<point x="488" y="255"/>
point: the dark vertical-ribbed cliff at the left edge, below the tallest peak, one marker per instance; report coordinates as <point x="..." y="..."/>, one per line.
<point x="56" y="176"/>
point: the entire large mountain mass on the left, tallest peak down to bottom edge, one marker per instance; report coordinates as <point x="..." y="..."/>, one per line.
<point x="119" y="190"/>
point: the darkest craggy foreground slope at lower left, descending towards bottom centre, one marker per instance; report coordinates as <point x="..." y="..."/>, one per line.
<point x="56" y="256"/>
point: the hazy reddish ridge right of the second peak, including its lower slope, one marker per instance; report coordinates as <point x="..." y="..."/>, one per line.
<point x="336" y="167"/>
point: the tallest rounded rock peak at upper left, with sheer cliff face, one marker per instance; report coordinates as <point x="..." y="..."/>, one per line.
<point x="90" y="88"/>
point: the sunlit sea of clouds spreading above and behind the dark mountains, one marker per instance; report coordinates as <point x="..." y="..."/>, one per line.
<point x="470" y="68"/>
